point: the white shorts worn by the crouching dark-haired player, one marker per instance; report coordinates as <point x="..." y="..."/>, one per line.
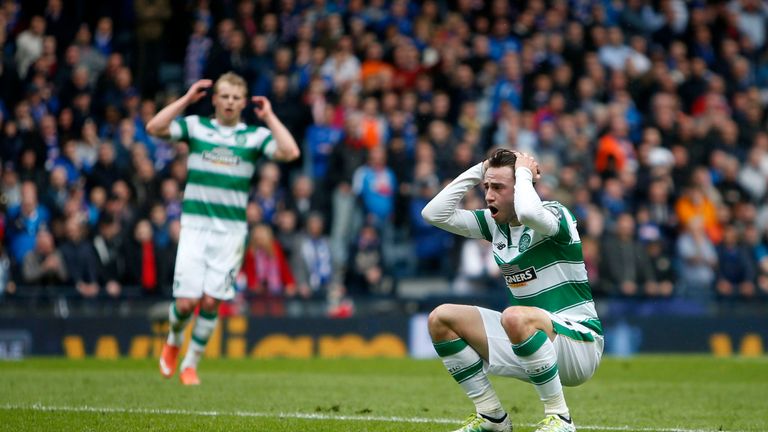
<point x="577" y="360"/>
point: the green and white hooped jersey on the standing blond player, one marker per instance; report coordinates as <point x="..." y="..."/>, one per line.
<point x="222" y="161"/>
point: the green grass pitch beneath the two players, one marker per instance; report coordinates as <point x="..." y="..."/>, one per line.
<point x="643" y="394"/>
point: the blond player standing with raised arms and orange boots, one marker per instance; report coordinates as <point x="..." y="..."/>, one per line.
<point x="223" y="152"/>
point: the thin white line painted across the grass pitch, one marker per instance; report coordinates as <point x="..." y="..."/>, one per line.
<point x="305" y="416"/>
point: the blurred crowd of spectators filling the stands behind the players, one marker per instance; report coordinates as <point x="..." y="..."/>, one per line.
<point x="648" y="119"/>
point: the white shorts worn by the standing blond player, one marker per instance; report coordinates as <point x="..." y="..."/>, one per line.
<point x="207" y="262"/>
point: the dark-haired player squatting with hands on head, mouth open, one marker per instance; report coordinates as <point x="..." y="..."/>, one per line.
<point x="551" y="336"/>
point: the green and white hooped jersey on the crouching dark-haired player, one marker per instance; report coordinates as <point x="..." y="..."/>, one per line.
<point x="543" y="271"/>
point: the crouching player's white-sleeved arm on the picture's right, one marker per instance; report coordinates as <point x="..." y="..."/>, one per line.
<point x="528" y="206"/>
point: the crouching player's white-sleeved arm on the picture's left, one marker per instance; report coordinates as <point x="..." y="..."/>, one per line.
<point x="441" y="210"/>
